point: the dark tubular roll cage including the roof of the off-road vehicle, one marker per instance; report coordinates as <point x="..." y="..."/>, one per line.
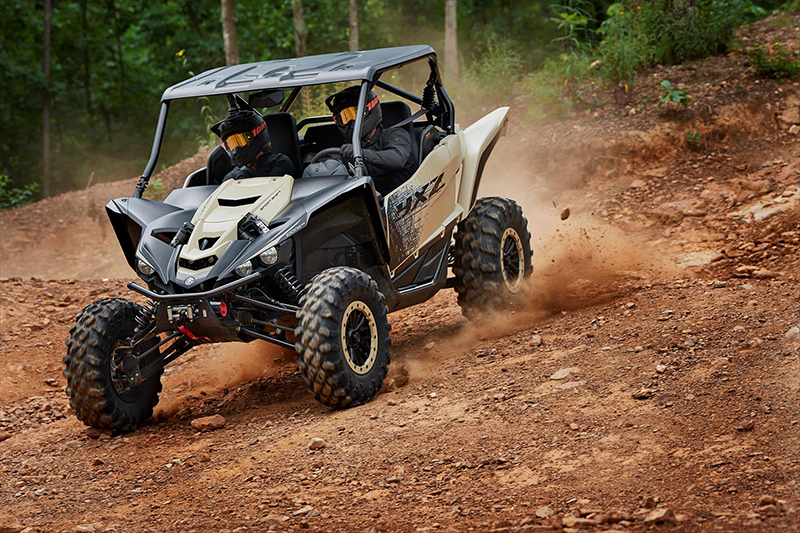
<point x="365" y="67"/>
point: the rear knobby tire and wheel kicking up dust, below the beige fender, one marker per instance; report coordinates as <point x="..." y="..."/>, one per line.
<point x="492" y="256"/>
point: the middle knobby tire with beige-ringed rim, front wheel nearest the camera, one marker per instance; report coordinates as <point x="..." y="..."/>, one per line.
<point x="343" y="337"/>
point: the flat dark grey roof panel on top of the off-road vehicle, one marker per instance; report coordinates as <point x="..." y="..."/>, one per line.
<point x="309" y="70"/>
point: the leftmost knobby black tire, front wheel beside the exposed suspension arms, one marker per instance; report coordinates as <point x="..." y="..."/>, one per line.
<point x="91" y="390"/>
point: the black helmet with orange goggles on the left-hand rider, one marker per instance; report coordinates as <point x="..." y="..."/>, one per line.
<point x="244" y="135"/>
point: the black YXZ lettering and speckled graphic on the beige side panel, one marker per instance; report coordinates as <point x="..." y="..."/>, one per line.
<point x="407" y="214"/>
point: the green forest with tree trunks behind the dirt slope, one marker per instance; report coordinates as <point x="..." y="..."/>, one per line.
<point x="82" y="78"/>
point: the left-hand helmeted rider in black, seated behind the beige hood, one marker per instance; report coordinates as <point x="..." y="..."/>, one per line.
<point x="245" y="138"/>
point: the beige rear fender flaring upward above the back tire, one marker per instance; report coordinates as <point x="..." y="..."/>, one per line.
<point x="479" y="141"/>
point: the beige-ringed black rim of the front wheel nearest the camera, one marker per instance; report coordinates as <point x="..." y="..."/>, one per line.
<point x="359" y="337"/>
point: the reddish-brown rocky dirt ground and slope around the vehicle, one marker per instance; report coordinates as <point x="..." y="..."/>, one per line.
<point x="652" y="381"/>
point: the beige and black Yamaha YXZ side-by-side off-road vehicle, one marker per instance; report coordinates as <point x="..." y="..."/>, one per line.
<point x="313" y="260"/>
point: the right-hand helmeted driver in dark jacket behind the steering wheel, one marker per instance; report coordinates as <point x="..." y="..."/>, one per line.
<point x="388" y="154"/>
